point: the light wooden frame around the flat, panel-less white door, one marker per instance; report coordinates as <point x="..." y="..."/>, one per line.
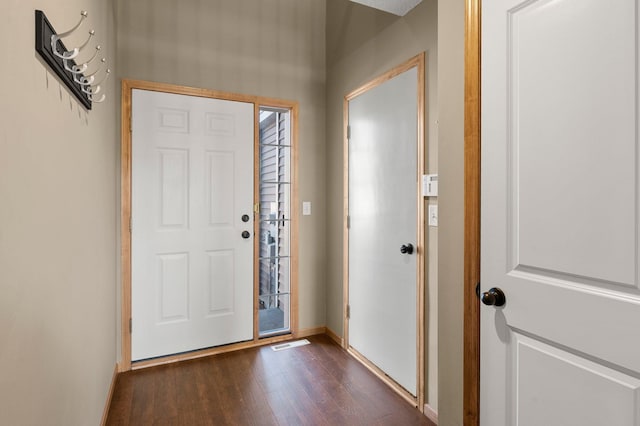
<point x="418" y="62"/>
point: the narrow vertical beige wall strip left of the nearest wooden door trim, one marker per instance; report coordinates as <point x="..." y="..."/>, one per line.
<point x="451" y="206"/>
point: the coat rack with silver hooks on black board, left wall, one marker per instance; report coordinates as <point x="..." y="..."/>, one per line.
<point x="80" y="77"/>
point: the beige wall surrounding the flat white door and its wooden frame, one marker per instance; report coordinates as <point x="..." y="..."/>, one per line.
<point x="362" y="43"/>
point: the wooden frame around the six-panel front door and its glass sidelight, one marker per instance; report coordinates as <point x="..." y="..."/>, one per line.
<point x="128" y="86"/>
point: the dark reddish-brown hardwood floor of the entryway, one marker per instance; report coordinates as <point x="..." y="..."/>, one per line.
<point x="316" y="384"/>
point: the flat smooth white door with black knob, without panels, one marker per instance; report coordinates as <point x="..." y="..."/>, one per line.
<point x="383" y="217"/>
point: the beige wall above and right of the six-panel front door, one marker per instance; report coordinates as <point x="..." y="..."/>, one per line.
<point x="273" y="48"/>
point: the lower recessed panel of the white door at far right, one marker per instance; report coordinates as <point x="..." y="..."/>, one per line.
<point x="554" y="387"/>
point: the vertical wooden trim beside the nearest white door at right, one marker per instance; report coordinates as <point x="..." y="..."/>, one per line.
<point x="472" y="111"/>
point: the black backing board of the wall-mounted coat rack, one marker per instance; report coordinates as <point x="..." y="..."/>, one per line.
<point x="44" y="31"/>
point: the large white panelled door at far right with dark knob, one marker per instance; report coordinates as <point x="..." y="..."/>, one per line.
<point x="560" y="205"/>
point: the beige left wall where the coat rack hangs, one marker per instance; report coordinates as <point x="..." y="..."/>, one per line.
<point x="57" y="228"/>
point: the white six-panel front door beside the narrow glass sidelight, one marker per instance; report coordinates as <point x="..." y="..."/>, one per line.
<point x="192" y="182"/>
